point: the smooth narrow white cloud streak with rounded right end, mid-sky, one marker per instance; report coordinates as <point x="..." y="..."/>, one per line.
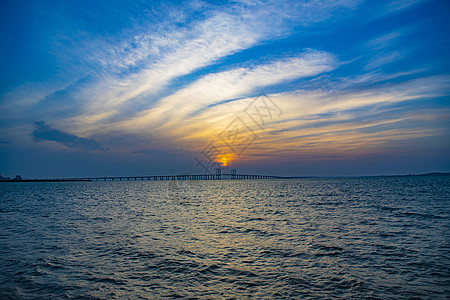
<point x="236" y="83"/>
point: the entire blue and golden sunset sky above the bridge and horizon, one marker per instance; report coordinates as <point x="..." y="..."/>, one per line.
<point x="279" y="87"/>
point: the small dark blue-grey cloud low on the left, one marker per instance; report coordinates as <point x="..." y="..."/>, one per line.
<point x="45" y="132"/>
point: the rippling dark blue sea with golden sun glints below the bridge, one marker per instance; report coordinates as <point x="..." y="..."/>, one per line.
<point x="349" y="238"/>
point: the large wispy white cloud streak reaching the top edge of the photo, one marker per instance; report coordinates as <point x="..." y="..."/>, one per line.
<point x="139" y="65"/>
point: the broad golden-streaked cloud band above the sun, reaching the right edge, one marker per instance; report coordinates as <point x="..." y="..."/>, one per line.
<point x="325" y="122"/>
